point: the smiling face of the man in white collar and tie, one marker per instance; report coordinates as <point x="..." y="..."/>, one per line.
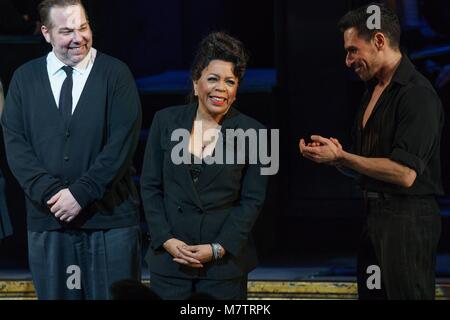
<point x="69" y="34"/>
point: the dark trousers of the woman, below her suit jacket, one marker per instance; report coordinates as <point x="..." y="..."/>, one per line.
<point x="171" y="288"/>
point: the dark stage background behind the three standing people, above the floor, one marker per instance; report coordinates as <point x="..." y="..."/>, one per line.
<point x="311" y="210"/>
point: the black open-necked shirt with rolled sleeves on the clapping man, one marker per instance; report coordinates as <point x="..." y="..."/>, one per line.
<point x="405" y="126"/>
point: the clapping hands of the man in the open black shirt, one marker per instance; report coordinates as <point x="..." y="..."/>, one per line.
<point x="322" y="150"/>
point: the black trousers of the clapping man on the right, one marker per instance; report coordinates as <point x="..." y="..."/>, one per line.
<point x="400" y="237"/>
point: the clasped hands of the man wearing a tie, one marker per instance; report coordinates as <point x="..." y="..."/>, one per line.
<point x="64" y="206"/>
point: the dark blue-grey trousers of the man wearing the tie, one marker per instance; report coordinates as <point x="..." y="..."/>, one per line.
<point x="95" y="259"/>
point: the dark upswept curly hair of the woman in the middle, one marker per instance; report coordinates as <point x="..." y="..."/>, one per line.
<point x="220" y="46"/>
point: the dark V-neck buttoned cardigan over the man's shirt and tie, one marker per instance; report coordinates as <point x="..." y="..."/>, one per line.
<point x="92" y="156"/>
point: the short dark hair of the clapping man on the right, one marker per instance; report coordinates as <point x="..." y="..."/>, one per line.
<point x="390" y="25"/>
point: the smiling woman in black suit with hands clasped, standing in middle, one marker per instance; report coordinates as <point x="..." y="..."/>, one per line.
<point x="199" y="214"/>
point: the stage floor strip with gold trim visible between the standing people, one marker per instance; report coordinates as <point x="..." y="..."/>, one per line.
<point x="331" y="279"/>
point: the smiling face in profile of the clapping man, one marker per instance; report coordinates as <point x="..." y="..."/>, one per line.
<point x="362" y="55"/>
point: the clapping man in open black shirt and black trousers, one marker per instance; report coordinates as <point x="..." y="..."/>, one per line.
<point x="395" y="157"/>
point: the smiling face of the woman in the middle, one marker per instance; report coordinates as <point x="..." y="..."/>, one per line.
<point x="216" y="88"/>
